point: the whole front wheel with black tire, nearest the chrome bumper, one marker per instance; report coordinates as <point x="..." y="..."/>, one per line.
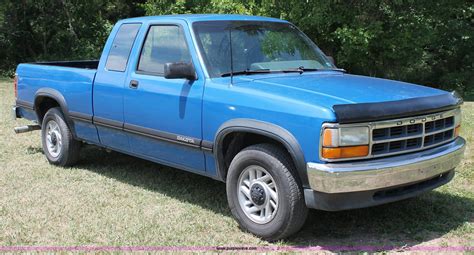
<point x="280" y="219"/>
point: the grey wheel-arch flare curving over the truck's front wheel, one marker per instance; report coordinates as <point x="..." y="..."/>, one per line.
<point x="261" y="128"/>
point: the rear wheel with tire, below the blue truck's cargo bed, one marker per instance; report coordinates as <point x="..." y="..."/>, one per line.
<point x="58" y="143"/>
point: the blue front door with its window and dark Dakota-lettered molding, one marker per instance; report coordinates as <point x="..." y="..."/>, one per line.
<point x="163" y="116"/>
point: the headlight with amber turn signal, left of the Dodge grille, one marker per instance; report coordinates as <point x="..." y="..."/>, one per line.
<point x="346" y="142"/>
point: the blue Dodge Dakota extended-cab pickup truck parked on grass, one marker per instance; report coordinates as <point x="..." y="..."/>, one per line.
<point x="250" y="101"/>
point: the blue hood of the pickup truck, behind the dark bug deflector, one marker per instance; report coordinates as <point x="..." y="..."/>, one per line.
<point x="332" y="88"/>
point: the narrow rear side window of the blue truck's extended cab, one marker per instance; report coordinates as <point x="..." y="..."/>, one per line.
<point x="121" y="47"/>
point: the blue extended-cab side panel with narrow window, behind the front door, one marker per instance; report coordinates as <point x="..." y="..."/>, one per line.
<point x="110" y="85"/>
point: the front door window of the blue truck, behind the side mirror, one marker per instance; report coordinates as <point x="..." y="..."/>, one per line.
<point x="163" y="44"/>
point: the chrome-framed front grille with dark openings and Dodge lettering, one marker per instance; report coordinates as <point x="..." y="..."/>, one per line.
<point x="400" y="136"/>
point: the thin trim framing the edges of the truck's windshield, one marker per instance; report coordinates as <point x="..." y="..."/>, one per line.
<point x="206" y="64"/>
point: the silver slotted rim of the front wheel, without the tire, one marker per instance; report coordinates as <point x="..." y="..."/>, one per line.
<point x="257" y="194"/>
